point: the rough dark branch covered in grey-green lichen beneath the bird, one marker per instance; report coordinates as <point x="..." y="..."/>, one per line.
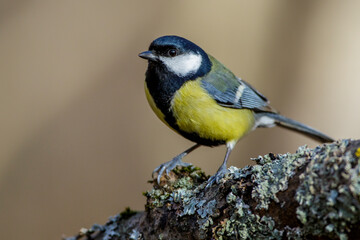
<point x="311" y="194"/>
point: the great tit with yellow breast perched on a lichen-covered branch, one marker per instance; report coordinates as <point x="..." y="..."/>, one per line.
<point x="199" y="98"/>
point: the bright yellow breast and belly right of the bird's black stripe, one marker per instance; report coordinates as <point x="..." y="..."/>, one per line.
<point x="196" y="112"/>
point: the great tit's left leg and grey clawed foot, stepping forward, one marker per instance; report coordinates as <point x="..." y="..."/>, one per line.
<point x="176" y="161"/>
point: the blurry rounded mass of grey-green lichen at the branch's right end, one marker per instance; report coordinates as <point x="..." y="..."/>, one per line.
<point x="330" y="192"/>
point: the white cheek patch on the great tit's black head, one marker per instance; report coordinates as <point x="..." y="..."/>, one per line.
<point x="183" y="65"/>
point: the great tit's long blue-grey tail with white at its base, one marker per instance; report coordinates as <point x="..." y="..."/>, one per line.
<point x="265" y="119"/>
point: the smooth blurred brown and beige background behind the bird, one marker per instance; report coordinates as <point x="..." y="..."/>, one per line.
<point x="78" y="139"/>
